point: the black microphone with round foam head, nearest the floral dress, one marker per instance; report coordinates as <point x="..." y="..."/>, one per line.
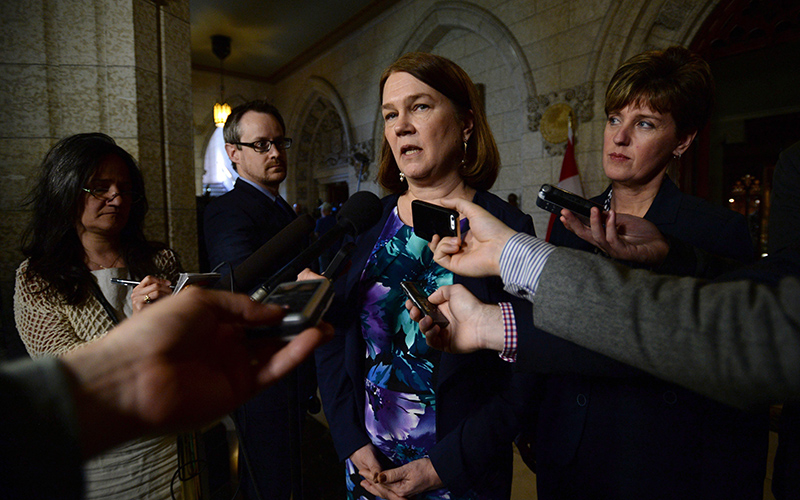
<point x="359" y="213"/>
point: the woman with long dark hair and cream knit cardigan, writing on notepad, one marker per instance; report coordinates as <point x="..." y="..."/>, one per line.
<point x="88" y="212"/>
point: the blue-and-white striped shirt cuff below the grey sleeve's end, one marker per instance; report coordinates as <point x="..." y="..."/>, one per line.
<point x="521" y="264"/>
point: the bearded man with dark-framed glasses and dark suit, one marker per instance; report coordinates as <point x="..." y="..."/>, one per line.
<point x="237" y="224"/>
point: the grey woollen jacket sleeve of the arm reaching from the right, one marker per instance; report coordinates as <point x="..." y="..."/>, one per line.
<point x="737" y="342"/>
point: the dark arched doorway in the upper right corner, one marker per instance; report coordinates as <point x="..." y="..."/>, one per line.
<point x="754" y="52"/>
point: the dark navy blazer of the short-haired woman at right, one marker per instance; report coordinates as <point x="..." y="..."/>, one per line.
<point x="649" y="438"/>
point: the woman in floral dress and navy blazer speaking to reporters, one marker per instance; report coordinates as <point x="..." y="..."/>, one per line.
<point x="406" y="418"/>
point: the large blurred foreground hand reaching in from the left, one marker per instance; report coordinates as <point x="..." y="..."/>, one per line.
<point x="179" y="364"/>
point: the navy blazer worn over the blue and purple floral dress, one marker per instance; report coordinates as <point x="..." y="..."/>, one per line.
<point x="476" y="418"/>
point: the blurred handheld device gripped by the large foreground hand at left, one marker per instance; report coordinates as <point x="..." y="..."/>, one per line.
<point x="307" y="301"/>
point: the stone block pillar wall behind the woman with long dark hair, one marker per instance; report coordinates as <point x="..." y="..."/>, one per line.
<point x="118" y="67"/>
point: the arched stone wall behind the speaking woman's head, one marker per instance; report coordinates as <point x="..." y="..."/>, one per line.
<point x="526" y="55"/>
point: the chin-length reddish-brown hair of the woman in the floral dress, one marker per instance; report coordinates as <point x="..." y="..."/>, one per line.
<point x="446" y="77"/>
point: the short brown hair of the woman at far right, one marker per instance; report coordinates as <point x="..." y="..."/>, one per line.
<point x="674" y="80"/>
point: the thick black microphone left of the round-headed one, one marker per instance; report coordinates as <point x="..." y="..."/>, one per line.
<point x="269" y="258"/>
